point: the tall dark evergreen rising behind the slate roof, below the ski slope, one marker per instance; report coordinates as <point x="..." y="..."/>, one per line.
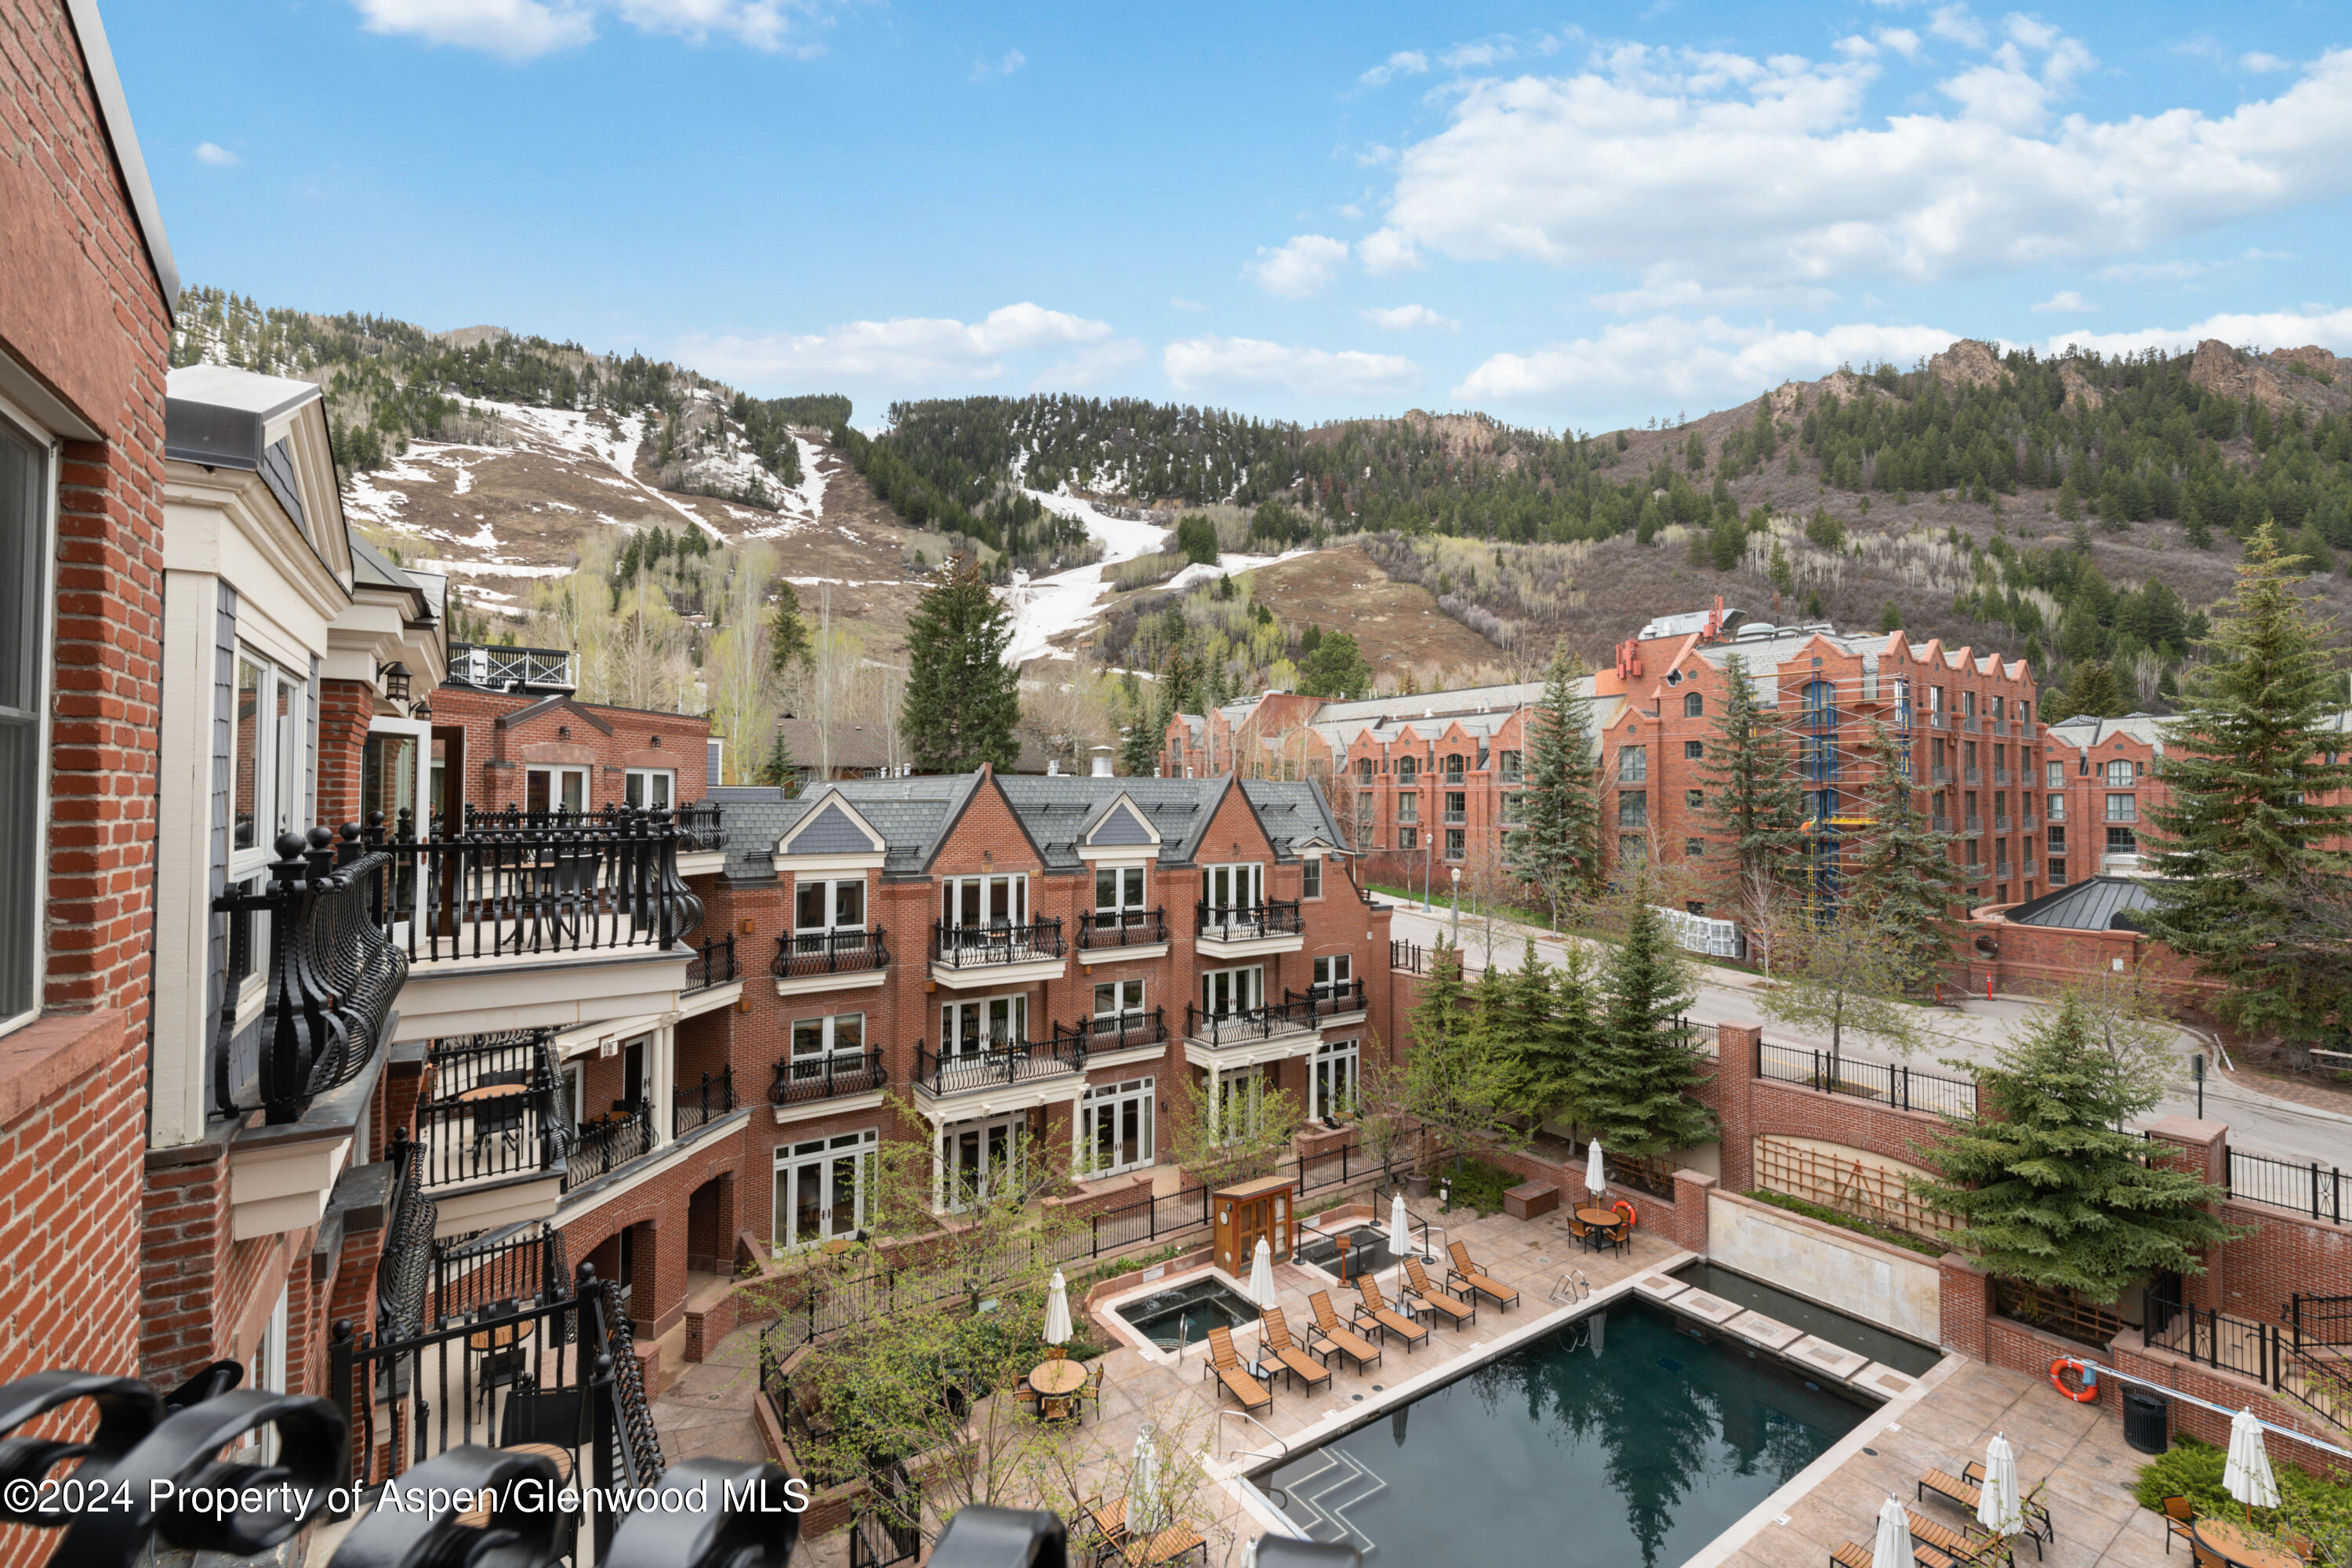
<point x="961" y="695"/>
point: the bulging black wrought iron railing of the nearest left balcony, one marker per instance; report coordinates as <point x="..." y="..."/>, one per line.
<point x="330" y="977"/>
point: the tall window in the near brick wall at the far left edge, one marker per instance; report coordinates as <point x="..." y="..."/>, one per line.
<point x="27" y="525"/>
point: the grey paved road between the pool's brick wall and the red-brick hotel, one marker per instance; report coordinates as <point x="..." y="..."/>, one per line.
<point x="1975" y="1031"/>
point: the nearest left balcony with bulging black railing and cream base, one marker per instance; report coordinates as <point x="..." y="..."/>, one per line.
<point x="314" y="1054"/>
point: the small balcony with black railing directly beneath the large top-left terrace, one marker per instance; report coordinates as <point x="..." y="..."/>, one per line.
<point x="490" y="1132"/>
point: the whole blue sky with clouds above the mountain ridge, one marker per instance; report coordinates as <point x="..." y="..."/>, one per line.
<point x="1565" y="217"/>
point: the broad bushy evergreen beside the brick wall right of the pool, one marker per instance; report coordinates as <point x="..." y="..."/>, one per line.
<point x="2045" y="1186"/>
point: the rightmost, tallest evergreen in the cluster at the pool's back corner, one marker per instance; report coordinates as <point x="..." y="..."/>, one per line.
<point x="1633" y="1085"/>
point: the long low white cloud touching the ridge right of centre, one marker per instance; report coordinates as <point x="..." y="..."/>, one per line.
<point x="1697" y="361"/>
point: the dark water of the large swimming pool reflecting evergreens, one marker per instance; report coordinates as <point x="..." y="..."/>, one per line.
<point x="1624" y="1438"/>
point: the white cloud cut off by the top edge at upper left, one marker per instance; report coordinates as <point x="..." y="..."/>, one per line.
<point x="528" y="29"/>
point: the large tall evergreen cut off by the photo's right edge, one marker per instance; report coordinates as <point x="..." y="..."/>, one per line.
<point x="2252" y="770"/>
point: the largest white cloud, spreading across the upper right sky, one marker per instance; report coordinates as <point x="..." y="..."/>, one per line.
<point x="1765" y="173"/>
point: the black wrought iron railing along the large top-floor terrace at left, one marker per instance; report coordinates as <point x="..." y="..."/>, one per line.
<point x="523" y="885"/>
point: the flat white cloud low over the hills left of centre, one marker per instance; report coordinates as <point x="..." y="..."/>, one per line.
<point x="909" y="349"/>
